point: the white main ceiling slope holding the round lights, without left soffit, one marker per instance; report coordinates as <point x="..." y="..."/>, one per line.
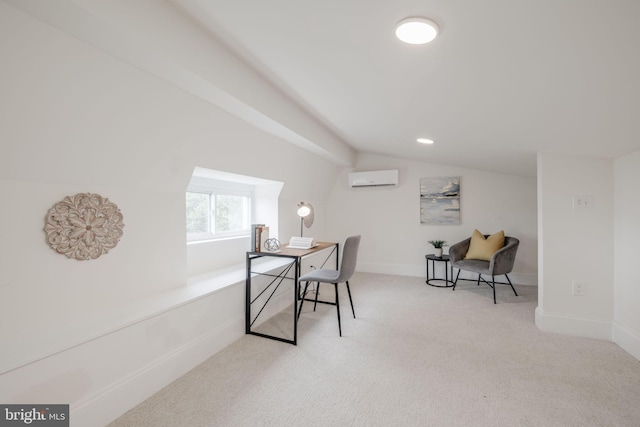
<point x="504" y="80"/>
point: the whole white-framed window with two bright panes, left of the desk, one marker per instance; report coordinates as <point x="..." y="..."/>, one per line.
<point x="218" y="209"/>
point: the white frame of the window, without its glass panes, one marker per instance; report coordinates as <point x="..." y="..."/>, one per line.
<point x="216" y="187"/>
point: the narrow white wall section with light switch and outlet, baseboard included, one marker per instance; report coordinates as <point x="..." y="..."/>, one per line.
<point x="575" y="245"/>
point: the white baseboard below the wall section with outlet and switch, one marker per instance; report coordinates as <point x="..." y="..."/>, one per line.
<point x="588" y="328"/>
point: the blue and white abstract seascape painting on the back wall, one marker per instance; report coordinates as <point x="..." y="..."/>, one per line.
<point x="440" y="201"/>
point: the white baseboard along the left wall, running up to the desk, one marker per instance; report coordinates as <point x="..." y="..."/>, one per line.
<point x="116" y="399"/>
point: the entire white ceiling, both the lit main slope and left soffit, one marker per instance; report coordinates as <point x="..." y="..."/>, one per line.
<point x="504" y="80"/>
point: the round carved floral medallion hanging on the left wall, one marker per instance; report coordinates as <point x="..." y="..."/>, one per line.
<point x="83" y="226"/>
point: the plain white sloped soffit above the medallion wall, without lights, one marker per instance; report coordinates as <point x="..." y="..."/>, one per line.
<point x="155" y="36"/>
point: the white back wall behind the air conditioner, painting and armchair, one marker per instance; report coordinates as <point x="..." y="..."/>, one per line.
<point x="393" y="239"/>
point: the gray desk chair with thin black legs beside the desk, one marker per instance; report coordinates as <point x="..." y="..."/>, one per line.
<point x="343" y="274"/>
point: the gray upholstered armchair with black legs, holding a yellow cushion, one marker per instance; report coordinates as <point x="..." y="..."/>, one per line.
<point x="501" y="263"/>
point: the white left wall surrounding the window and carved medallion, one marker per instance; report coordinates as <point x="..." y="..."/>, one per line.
<point x="104" y="334"/>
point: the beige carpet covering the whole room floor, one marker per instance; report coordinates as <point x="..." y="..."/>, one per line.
<point x="415" y="356"/>
